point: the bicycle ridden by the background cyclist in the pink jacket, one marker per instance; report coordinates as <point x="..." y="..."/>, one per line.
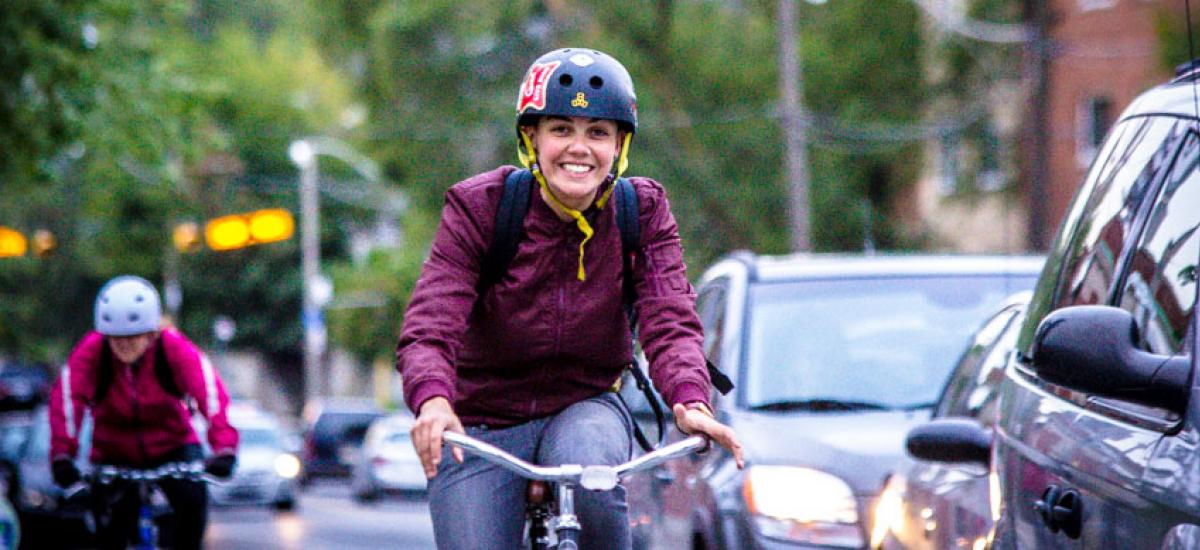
<point x="152" y="500"/>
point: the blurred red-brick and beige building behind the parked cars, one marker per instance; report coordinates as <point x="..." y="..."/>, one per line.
<point x="1099" y="56"/>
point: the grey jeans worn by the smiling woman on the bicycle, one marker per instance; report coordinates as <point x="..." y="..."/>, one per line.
<point x="479" y="506"/>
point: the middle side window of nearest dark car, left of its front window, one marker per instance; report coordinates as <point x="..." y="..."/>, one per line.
<point x="1138" y="158"/>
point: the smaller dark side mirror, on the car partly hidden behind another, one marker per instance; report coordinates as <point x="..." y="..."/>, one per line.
<point x="951" y="440"/>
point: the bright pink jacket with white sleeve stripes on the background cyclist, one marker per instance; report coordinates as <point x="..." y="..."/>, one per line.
<point x="137" y="422"/>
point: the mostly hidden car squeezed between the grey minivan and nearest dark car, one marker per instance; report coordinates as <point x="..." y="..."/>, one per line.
<point x="939" y="504"/>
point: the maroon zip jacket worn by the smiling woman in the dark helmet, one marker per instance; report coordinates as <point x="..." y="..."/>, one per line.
<point x="541" y="339"/>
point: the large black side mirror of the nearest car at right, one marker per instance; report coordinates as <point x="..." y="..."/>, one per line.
<point x="1093" y="349"/>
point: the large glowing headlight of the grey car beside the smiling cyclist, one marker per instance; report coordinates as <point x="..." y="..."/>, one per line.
<point x="802" y="505"/>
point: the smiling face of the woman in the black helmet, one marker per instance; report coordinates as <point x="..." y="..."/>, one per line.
<point x="575" y="156"/>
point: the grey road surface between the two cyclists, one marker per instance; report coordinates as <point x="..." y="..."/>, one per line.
<point x="327" y="518"/>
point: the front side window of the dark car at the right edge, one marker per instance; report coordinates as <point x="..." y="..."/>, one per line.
<point x="1161" y="284"/>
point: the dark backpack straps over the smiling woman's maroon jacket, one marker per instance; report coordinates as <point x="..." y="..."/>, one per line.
<point x="509" y="226"/>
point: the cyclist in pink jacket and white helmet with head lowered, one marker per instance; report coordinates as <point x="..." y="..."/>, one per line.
<point x="141" y="385"/>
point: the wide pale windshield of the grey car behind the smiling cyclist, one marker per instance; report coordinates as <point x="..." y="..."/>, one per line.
<point x="863" y="344"/>
